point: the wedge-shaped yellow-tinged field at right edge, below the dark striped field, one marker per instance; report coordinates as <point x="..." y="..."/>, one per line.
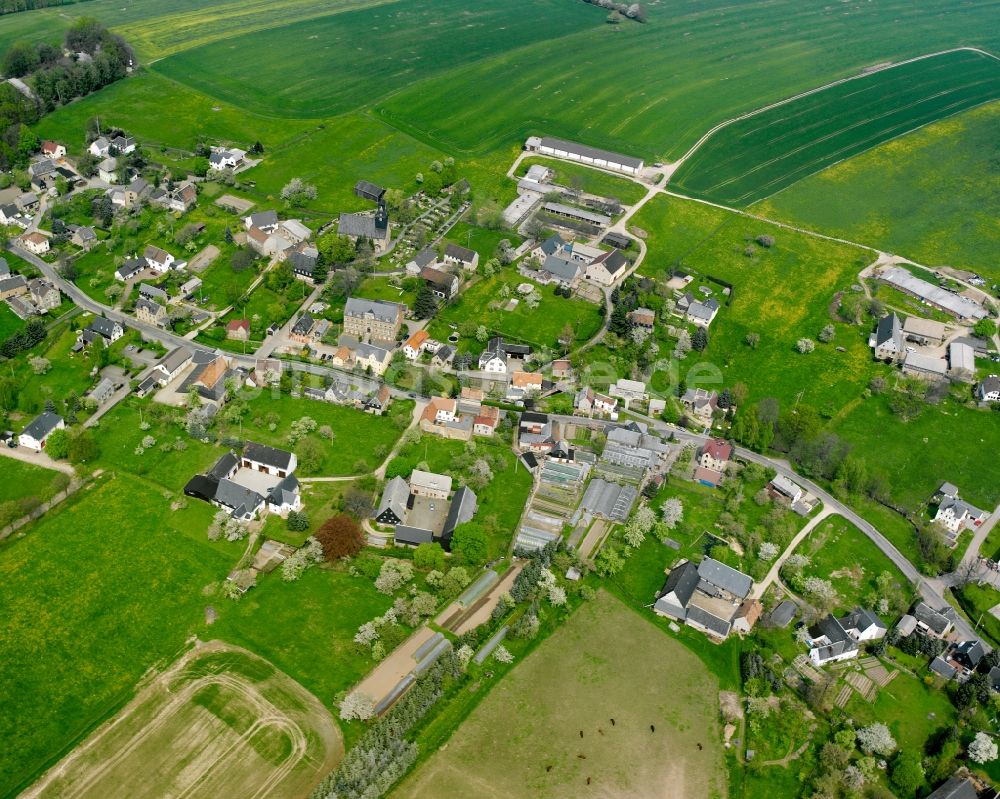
<point x="929" y="195"/>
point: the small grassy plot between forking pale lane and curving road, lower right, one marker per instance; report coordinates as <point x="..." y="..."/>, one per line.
<point x="841" y="553"/>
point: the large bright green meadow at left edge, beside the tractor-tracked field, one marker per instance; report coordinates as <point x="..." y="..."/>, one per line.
<point x="88" y="609"/>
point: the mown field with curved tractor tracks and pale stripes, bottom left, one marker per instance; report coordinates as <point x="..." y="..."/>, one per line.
<point x="220" y="721"/>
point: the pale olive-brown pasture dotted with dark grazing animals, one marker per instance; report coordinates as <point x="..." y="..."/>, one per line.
<point x="578" y="680"/>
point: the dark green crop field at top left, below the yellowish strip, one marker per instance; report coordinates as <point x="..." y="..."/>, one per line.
<point x="339" y="73"/>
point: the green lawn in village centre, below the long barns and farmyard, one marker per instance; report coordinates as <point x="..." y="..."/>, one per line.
<point x="481" y="303"/>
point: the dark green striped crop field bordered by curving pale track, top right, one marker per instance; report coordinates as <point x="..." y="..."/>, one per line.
<point x="758" y="156"/>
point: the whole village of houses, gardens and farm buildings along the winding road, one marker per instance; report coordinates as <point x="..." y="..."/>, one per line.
<point x="209" y="304"/>
